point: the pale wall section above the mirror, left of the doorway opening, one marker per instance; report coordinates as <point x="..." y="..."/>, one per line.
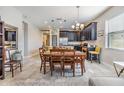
<point x="13" y="17"/>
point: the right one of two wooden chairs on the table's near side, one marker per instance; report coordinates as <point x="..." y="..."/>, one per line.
<point x="68" y="60"/>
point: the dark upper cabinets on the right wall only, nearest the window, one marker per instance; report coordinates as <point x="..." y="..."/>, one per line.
<point x="89" y="32"/>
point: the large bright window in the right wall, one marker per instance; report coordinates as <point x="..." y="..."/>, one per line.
<point x="115" y="32"/>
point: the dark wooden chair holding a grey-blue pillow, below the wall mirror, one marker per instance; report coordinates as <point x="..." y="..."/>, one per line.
<point x="12" y="64"/>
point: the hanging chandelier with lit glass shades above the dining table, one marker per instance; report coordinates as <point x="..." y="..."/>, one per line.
<point x="78" y="26"/>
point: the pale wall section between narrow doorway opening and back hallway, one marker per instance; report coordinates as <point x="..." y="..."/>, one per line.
<point x="34" y="40"/>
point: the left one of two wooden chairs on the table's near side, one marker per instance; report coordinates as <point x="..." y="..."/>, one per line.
<point x="56" y="59"/>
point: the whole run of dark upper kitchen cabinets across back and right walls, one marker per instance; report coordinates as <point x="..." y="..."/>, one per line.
<point x="88" y="33"/>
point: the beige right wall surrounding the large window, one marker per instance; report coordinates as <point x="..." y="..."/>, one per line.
<point x="108" y="55"/>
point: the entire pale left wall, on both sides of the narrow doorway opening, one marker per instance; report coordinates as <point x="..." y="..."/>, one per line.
<point x="12" y="16"/>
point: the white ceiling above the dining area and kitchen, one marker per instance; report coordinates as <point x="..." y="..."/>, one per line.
<point x="41" y="16"/>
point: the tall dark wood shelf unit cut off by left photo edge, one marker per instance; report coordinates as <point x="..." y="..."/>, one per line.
<point x="1" y="50"/>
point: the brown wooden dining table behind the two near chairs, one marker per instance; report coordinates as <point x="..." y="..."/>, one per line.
<point x="79" y="54"/>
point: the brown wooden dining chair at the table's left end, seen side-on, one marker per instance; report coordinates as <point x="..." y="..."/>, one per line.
<point x="44" y="60"/>
